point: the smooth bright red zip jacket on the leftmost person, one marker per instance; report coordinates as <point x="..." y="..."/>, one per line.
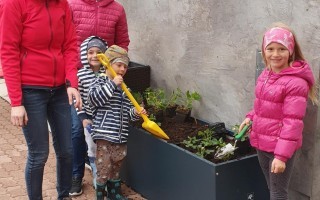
<point x="37" y="45"/>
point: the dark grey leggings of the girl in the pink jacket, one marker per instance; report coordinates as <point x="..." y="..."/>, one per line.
<point x="278" y="184"/>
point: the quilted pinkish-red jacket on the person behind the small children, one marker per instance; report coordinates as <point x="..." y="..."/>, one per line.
<point x="104" y="18"/>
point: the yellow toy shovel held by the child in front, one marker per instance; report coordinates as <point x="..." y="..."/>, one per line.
<point x="149" y="125"/>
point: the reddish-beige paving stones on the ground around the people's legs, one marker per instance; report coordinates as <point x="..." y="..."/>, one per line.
<point x="13" y="153"/>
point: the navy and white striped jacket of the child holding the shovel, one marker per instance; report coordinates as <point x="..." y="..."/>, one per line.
<point x="112" y="111"/>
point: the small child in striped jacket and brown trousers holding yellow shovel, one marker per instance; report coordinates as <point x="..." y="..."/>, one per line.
<point x="112" y="112"/>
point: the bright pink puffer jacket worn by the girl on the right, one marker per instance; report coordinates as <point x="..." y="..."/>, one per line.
<point x="279" y="109"/>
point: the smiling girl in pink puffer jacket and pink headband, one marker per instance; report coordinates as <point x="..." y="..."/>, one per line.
<point x="279" y="108"/>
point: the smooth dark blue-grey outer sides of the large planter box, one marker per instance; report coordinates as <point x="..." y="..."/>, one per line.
<point x="162" y="171"/>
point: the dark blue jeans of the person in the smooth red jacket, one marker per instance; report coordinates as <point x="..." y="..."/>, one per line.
<point x="50" y="105"/>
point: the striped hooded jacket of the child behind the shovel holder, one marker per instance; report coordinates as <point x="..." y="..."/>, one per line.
<point x="85" y="77"/>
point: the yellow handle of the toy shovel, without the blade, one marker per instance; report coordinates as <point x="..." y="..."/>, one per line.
<point x="105" y="61"/>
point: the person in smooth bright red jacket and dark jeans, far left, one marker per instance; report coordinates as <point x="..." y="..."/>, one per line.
<point x="39" y="57"/>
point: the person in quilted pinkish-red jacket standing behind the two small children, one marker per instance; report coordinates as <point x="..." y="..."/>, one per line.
<point x="107" y="20"/>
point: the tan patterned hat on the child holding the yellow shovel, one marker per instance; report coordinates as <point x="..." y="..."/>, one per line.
<point x="117" y="54"/>
